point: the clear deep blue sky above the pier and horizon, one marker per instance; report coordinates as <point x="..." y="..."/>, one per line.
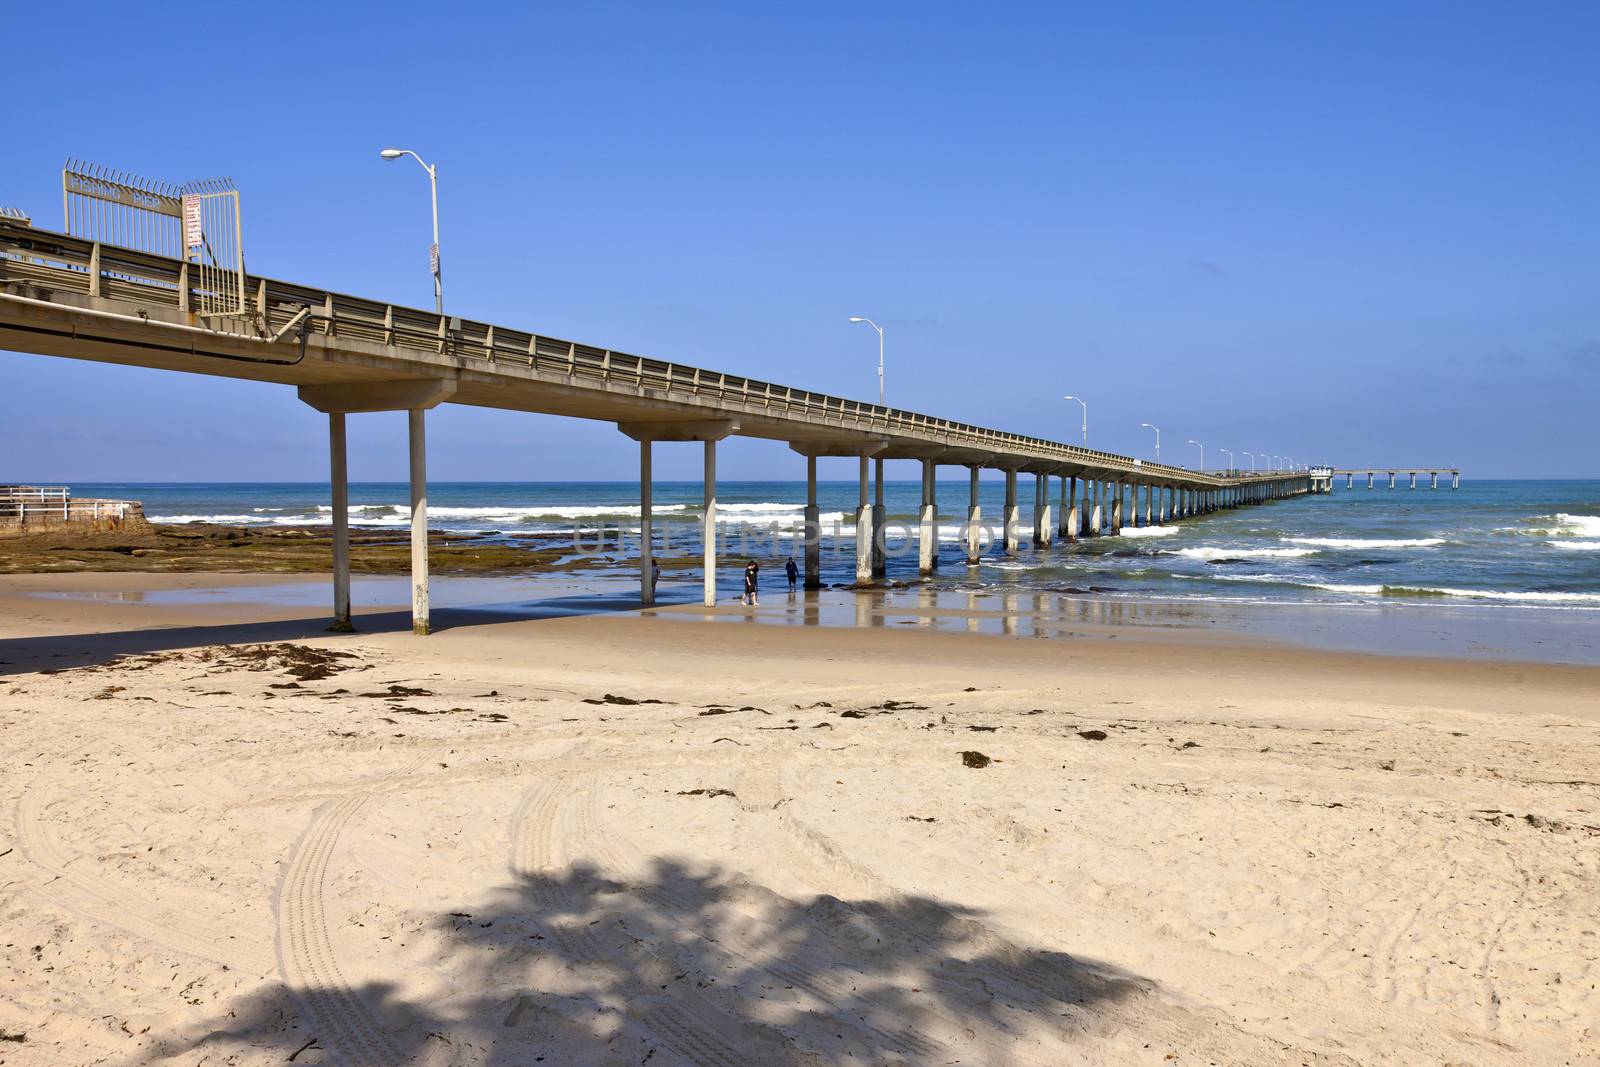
<point x="1345" y="233"/>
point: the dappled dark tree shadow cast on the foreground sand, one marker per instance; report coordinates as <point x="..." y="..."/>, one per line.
<point x="682" y="965"/>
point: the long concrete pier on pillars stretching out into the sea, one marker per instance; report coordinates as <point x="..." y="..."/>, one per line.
<point x="74" y="298"/>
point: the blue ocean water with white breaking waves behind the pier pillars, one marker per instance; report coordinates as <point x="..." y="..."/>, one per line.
<point x="1534" y="545"/>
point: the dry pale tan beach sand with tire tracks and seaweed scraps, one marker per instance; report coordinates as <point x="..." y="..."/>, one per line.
<point x="462" y="850"/>
